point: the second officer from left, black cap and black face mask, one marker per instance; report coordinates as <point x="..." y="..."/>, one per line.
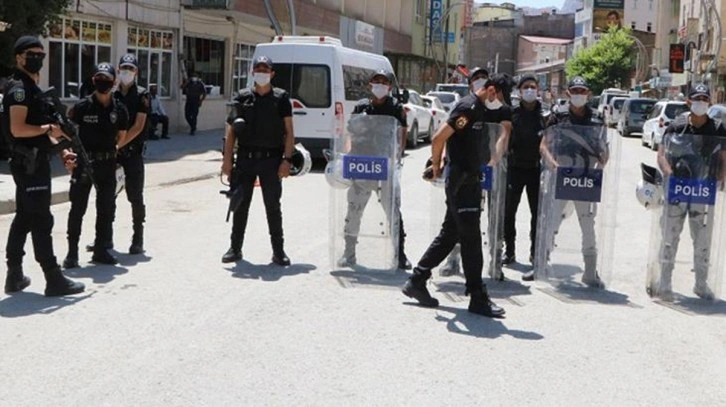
<point x="102" y="120"/>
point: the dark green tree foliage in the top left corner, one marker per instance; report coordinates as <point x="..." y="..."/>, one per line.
<point x="28" y="17"/>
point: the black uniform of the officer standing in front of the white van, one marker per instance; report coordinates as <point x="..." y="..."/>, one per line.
<point x="260" y="151"/>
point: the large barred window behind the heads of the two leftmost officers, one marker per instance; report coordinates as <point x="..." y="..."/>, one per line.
<point x="75" y="48"/>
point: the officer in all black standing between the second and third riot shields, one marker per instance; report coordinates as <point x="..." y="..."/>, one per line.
<point x="523" y="160"/>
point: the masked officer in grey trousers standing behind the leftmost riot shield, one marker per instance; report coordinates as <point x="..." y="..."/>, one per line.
<point x="382" y="103"/>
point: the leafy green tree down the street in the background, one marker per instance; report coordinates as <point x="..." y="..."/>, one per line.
<point x="608" y="63"/>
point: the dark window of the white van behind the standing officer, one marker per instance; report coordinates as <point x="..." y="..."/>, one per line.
<point x="308" y="83"/>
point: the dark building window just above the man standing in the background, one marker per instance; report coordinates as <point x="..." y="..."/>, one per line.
<point x="206" y="57"/>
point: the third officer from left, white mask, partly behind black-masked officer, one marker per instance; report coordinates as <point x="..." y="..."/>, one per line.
<point x="131" y="147"/>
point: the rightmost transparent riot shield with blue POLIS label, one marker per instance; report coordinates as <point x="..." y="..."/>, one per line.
<point x="693" y="169"/>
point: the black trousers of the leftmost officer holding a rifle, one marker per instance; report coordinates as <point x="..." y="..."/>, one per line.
<point x="32" y="214"/>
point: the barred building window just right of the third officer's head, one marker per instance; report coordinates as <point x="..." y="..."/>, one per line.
<point x="153" y="50"/>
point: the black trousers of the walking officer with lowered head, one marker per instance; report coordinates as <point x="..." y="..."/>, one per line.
<point x="461" y="225"/>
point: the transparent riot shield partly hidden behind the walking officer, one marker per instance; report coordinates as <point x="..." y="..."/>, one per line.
<point x="493" y="180"/>
